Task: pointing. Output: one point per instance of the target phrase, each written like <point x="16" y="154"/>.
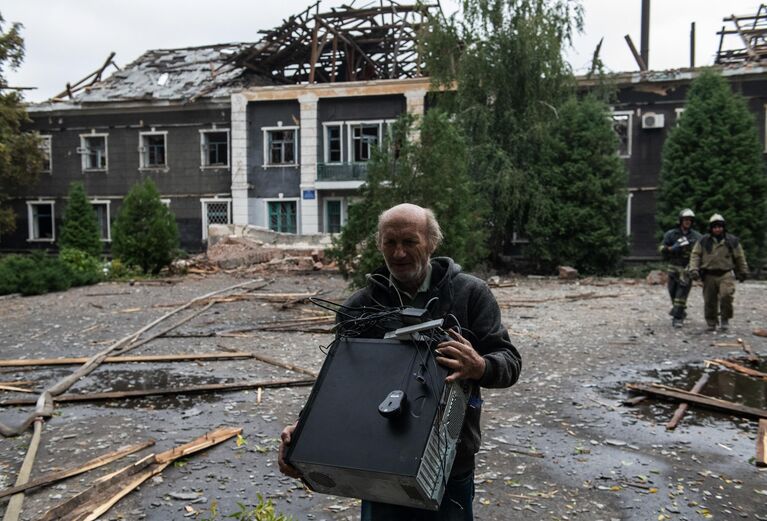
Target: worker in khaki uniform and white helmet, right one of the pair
<point x="714" y="259"/>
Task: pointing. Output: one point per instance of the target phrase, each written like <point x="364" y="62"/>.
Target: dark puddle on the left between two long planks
<point x="150" y="379"/>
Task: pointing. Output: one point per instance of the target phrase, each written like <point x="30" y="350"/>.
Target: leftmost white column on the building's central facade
<point x="239" y="160"/>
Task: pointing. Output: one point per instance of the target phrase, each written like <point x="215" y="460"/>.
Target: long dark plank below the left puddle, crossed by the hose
<point x="139" y="393"/>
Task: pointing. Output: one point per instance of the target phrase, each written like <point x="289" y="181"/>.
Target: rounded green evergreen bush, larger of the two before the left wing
<point x="145" y="232"/>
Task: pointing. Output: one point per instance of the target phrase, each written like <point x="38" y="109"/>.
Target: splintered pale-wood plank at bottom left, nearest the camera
<point x="96" y="500"/>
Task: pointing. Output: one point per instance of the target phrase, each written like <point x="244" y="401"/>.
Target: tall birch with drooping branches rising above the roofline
<point x="506" y="58"/>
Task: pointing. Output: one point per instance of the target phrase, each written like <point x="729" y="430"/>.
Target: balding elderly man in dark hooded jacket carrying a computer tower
<point x="479" y="349"/>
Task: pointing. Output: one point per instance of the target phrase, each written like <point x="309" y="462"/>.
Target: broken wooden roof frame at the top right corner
<point x="750" y="31"/>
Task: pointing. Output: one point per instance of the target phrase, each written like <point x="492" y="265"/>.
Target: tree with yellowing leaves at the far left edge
<point x="21" y="159"/>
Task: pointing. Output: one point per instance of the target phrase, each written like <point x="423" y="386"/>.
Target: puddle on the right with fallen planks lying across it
<point x="723" y="383"/>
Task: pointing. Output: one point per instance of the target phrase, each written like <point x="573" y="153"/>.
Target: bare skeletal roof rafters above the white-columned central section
<point x="346" y="44"/>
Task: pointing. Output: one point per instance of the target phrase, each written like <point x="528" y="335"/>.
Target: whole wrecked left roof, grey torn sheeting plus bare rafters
<point x="344" y="44"/>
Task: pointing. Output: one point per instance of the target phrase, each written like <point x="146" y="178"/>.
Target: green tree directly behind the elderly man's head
<point x="431" y="171"/>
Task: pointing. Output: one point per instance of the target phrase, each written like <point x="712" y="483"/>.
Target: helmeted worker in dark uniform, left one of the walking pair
<point x="675" y="248"/>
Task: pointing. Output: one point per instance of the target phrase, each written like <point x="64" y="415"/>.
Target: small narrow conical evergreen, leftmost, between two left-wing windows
<point x="80" y="229"/>
